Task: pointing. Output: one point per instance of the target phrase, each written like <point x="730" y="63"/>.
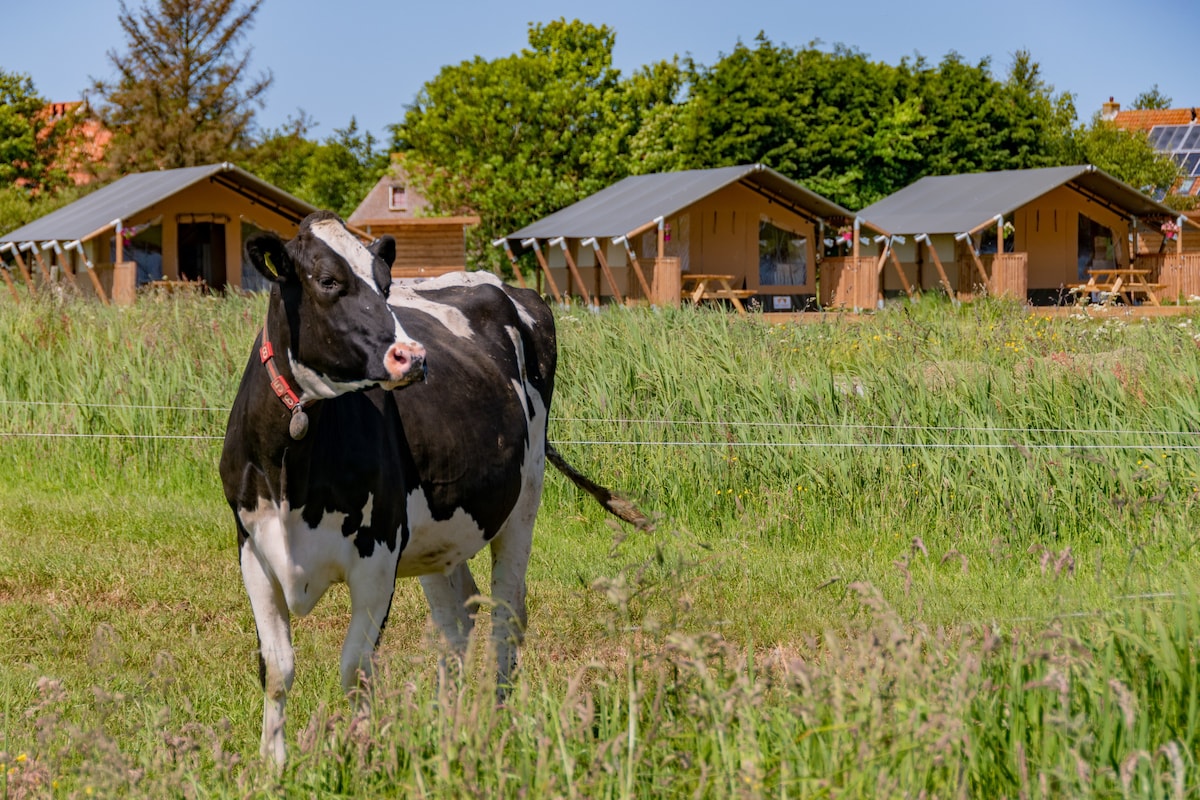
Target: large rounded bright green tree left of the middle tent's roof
<point x="519" y="137"/>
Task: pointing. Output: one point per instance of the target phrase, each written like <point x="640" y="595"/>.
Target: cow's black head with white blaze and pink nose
<point x="332" y="300"/>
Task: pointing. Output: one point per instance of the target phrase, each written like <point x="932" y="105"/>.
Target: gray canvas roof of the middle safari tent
<point x="640" y="200"/>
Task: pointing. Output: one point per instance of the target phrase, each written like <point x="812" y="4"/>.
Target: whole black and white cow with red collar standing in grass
<point x="382" y="432"/>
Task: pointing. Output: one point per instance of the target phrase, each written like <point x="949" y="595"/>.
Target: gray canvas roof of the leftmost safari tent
<point x="135" y="194"/>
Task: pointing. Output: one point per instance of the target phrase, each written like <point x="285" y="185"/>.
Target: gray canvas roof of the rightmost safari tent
<point x="955" y="204"/>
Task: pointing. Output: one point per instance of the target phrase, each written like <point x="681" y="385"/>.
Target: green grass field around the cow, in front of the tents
<point x="938" y="552"/>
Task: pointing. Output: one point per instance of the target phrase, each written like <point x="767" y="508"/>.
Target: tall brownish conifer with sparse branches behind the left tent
<point x="183" y="95"/>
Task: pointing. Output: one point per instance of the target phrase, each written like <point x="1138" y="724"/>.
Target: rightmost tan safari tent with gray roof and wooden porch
<point x="1034" y="234"/>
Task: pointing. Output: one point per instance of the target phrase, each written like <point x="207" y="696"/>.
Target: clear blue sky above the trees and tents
<point x="368" y="59"/>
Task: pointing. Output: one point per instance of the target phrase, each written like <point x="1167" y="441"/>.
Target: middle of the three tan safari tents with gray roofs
<point x="729" y="234"/>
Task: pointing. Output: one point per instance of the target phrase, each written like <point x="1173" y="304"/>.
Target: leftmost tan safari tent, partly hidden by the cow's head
<point x="176" y="228"/>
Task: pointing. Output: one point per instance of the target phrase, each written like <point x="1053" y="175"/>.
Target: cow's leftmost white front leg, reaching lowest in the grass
<point x="277" y="659"/>
